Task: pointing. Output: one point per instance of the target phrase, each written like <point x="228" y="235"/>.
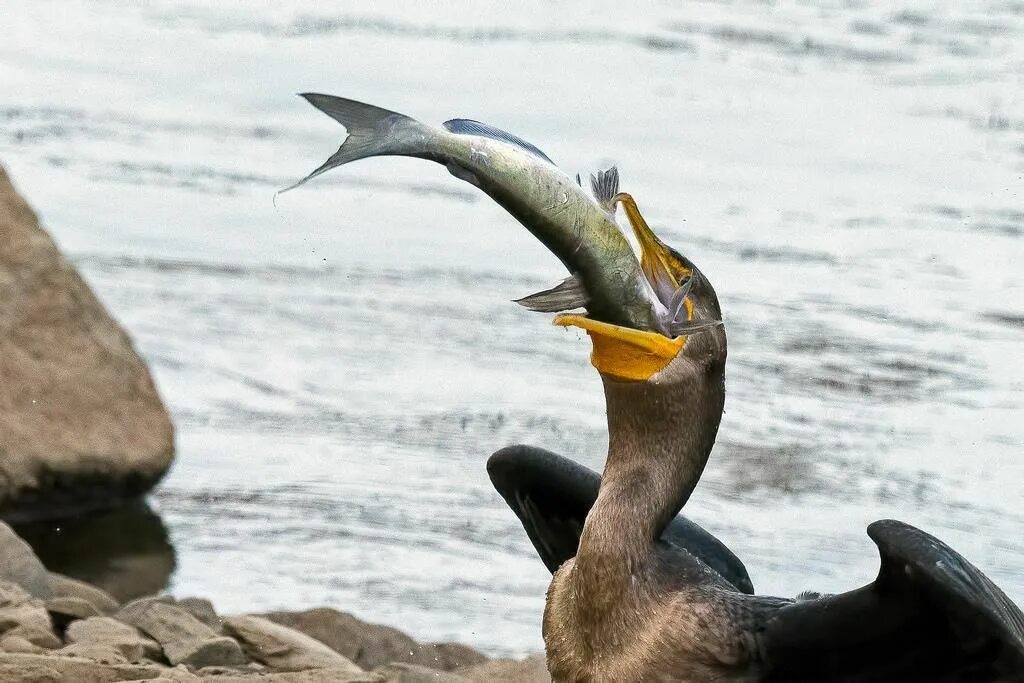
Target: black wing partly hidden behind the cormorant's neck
<point x="552" y="495"/>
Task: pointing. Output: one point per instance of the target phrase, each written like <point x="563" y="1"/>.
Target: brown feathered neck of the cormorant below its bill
<point x="660" y="438"/>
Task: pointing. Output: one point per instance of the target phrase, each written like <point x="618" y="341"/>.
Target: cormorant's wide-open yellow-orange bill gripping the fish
<point x="634" y="355"/>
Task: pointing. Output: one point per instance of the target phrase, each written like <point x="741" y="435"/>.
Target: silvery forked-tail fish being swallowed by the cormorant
<point x="607" y="278"/>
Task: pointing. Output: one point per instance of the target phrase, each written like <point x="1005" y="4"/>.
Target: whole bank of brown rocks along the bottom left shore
<point x="55" y="628"/>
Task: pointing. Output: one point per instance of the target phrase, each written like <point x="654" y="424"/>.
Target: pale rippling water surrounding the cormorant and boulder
<point x="339" y="367"/>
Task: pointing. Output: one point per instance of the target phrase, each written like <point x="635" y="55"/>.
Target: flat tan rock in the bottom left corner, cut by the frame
<point x="57" y="669"/>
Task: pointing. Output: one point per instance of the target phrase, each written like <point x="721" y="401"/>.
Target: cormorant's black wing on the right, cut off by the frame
<point x="930" y="616"/>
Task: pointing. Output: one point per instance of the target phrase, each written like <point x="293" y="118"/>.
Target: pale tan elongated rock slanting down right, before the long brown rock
<point x="283" y="649"/>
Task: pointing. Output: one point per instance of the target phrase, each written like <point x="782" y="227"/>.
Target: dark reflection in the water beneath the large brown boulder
<point x="125" y="551"/>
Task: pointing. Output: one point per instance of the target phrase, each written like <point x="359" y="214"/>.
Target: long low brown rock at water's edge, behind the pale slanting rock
<point x="372" y="646"/>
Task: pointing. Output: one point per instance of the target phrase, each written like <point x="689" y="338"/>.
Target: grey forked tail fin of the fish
<point x="372" y="133"/>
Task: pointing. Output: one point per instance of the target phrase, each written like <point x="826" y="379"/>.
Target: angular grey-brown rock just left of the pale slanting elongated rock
<point x="184" y="638"/>
